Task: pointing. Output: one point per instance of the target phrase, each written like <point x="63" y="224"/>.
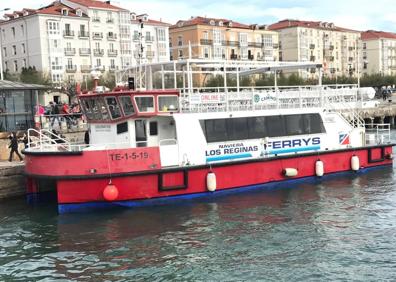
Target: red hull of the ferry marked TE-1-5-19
<point x="149" y="183"/>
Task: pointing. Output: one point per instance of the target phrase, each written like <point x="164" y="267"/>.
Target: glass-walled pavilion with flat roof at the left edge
<point x="18" y="103"/>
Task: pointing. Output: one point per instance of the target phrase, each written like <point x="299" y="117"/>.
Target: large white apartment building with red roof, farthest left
<point x="70" y="38"/>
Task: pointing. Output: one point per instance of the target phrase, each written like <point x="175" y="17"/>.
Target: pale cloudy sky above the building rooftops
<point x="354" y="14"/>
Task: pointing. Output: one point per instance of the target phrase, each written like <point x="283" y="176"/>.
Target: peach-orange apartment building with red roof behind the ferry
<point x="210" y="38"/>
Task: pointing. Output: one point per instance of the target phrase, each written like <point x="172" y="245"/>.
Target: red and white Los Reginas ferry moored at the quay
<point x="150" y="145"/>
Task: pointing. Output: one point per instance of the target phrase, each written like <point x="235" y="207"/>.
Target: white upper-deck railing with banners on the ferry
<point x="223" y="99"/>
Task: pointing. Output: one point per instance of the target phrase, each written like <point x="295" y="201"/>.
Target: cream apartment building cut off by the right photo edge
<point x="379" y="52"/>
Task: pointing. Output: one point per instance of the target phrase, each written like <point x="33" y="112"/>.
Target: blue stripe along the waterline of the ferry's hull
<point x="81" y="207"/>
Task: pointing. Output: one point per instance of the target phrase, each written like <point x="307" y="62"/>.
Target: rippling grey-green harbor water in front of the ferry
<point x="340" y="228"/>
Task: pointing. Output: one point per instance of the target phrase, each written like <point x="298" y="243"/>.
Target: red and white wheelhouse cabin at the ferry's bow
<point x="124" y="119"/>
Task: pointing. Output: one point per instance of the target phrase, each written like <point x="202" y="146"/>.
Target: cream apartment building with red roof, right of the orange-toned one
<point x="335" y="47"/>
